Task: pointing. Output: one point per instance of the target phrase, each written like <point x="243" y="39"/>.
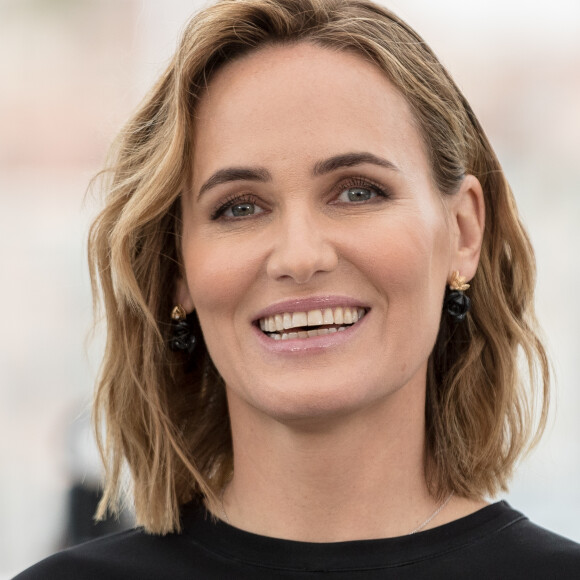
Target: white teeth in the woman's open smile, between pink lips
<point x="292" y="325"/>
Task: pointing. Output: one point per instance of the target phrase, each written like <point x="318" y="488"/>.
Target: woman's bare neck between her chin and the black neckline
<point x="358" y="476"/>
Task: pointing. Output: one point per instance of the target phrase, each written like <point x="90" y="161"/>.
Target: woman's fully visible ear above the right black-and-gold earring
<point x="468" y="217"/>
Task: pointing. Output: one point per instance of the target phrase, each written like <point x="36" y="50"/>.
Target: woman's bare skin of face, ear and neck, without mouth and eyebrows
<point x="328" y="442"/>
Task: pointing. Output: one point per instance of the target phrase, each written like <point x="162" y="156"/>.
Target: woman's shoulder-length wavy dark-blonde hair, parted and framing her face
<point x="163" y="419"/>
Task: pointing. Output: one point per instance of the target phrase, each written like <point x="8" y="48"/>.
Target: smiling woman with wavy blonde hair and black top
<point x="316" y="288"/>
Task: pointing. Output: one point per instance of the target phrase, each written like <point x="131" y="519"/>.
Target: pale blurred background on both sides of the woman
<point x="71" y="71"/>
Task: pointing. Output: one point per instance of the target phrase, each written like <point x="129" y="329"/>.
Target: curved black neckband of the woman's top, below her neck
<point x="229" y="542"/>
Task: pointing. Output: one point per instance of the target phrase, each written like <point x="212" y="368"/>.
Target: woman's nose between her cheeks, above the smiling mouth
<point x="302" y="248"/>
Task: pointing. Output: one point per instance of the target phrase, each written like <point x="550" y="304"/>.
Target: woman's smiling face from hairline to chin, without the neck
<point x="312" y="204"/>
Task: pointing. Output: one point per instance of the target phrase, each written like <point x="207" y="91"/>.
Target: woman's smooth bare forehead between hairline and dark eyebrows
<point x="302" y="101"/>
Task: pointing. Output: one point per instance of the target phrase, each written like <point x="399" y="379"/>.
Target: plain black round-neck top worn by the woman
<point x="495" y="542"/>
